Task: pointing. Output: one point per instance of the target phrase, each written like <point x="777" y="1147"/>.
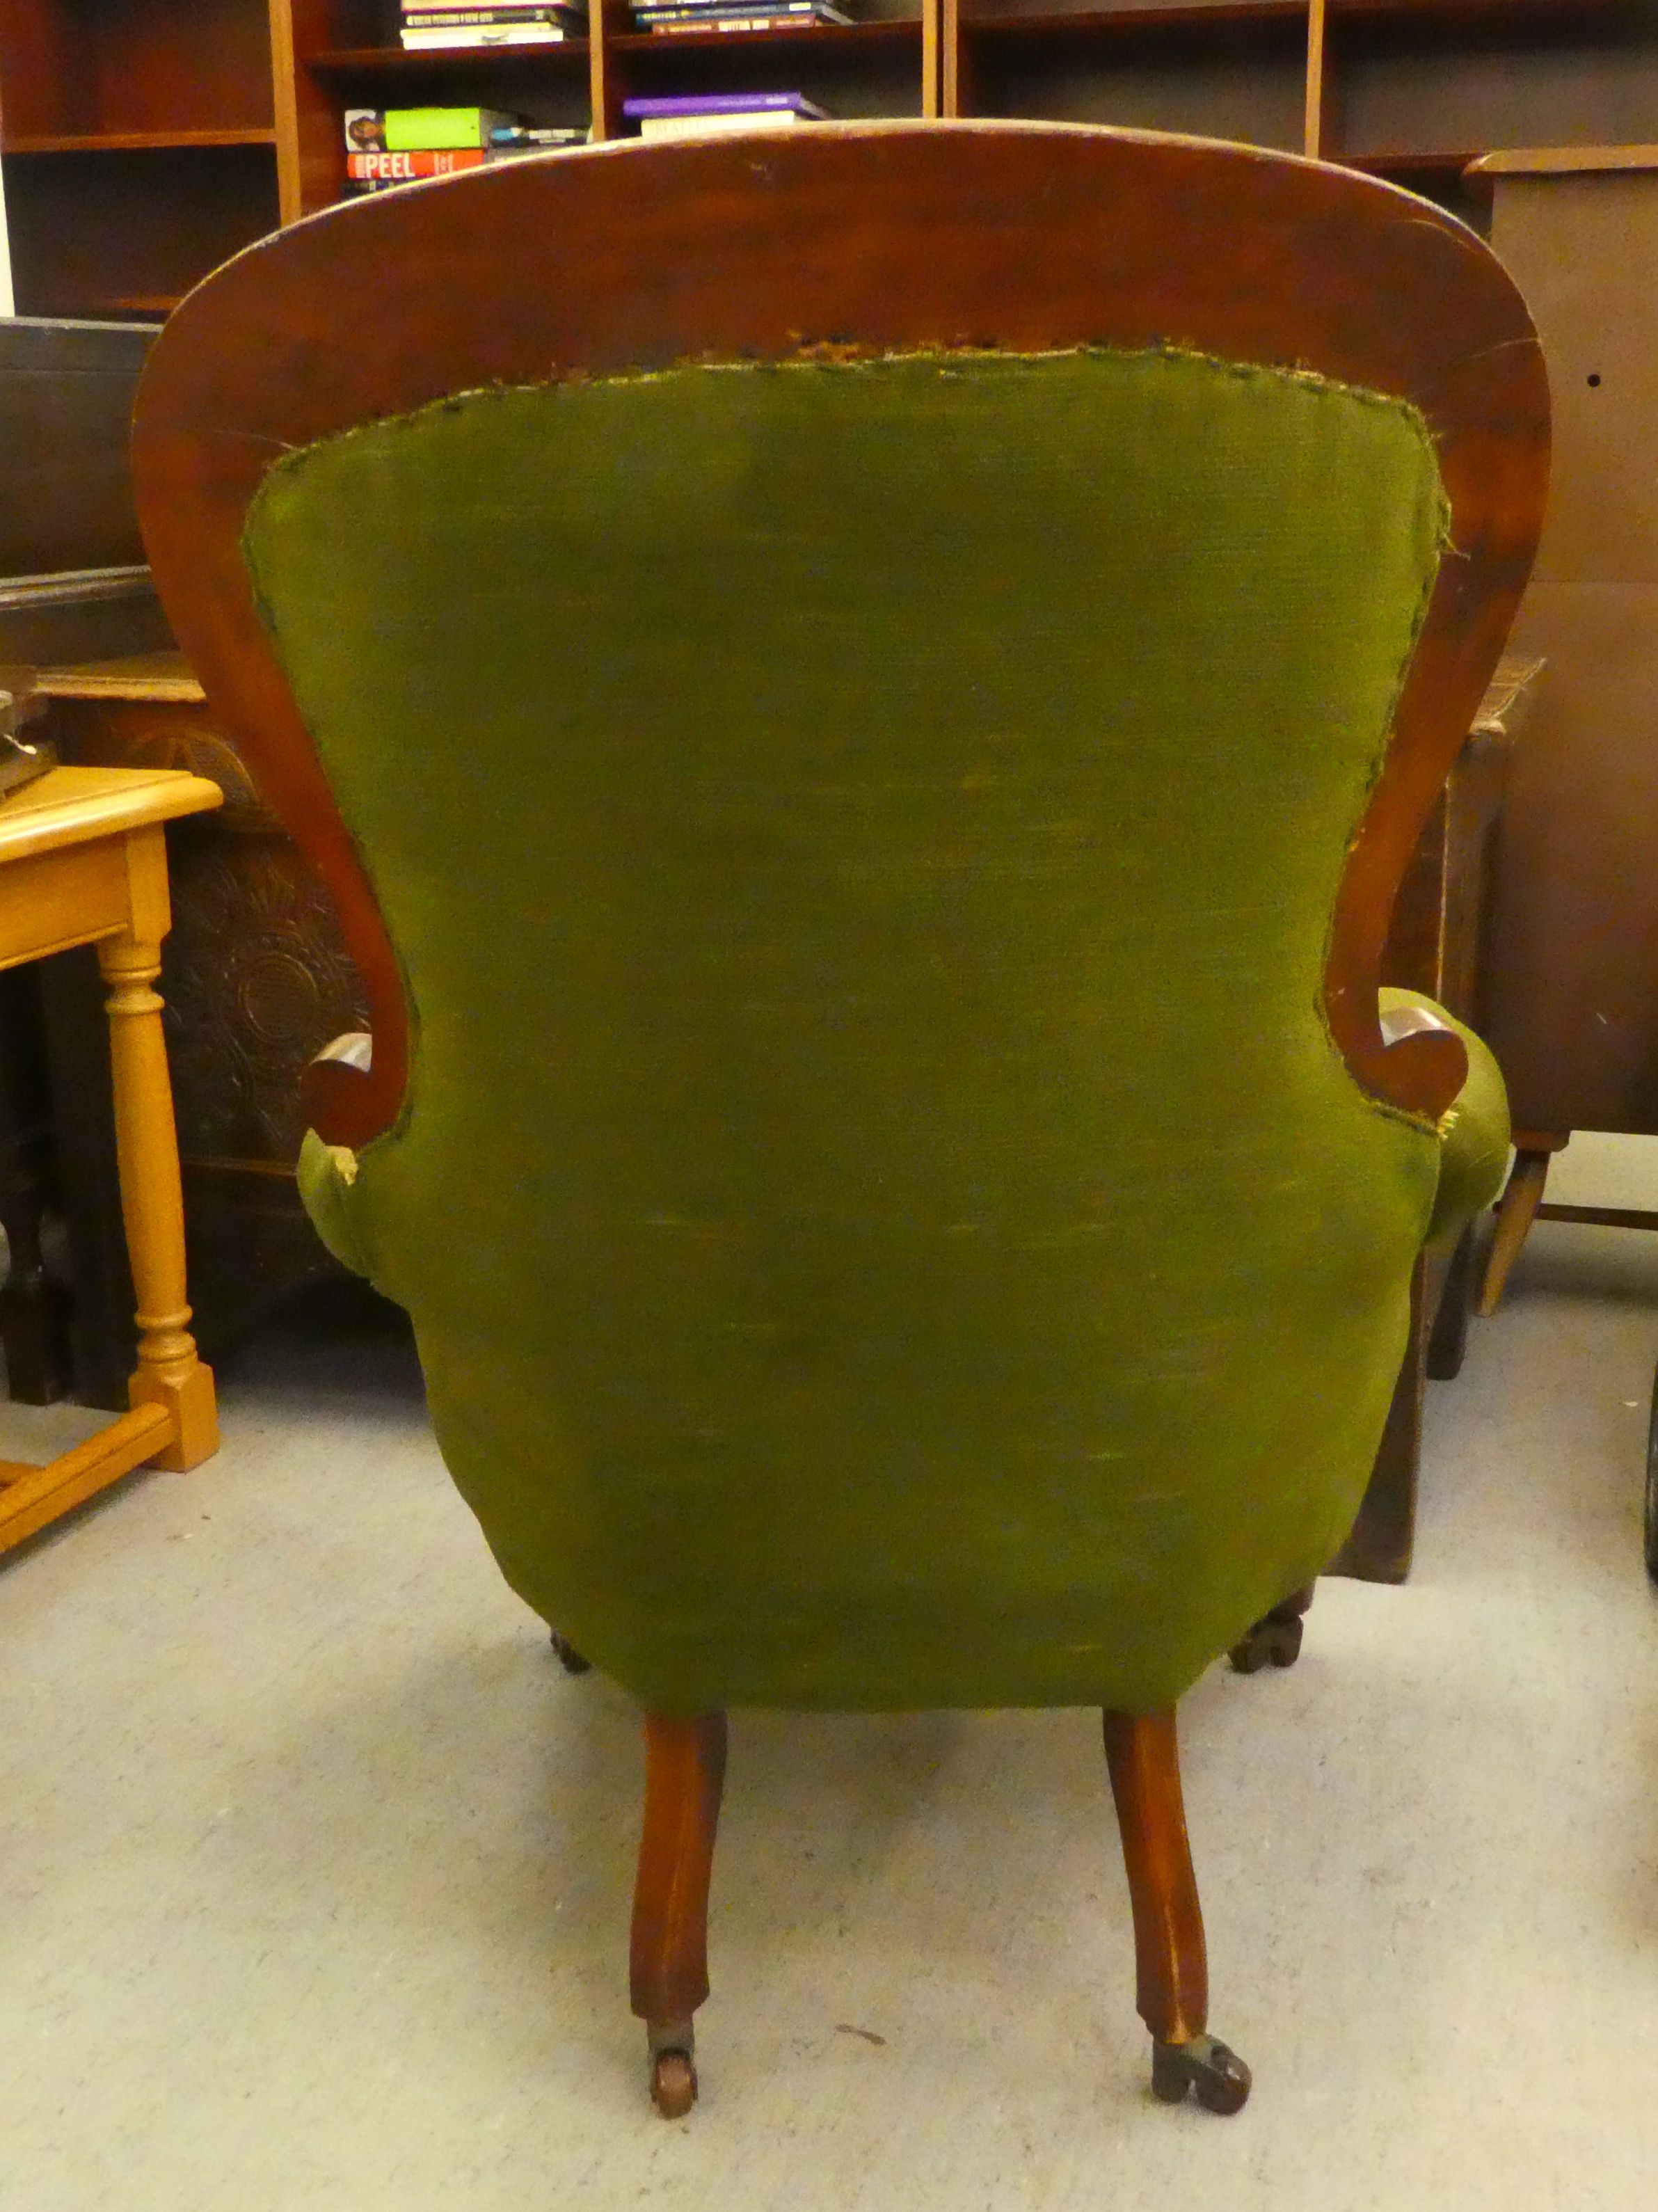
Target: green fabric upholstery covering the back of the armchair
<point x="883" y="1215"/>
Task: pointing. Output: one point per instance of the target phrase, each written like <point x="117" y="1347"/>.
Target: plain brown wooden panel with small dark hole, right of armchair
<point x="1573" y="983"/>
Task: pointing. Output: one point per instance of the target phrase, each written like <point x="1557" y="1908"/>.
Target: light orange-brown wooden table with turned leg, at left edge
<point x="83" y="862"/>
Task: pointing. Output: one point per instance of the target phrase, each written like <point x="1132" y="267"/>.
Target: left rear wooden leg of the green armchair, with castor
<point x="669" y="1954"/>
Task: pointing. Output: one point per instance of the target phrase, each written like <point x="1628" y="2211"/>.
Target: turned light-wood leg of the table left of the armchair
<point x="169" y="1373"/>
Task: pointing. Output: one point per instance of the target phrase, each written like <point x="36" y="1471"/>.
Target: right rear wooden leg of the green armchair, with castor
<point x="1173" y="1970"/>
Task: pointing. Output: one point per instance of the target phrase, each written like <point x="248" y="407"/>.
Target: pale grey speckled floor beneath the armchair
<point x="317" y="1866"/>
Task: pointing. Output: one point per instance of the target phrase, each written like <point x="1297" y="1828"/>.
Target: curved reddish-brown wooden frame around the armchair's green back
<point x="890" y="236"/>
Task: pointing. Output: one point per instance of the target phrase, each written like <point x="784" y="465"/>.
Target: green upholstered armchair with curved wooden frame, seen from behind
<point x="863" y="698"/>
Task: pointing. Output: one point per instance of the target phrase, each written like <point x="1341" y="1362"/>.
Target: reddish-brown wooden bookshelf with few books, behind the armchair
<point x="145" y="140"/>
